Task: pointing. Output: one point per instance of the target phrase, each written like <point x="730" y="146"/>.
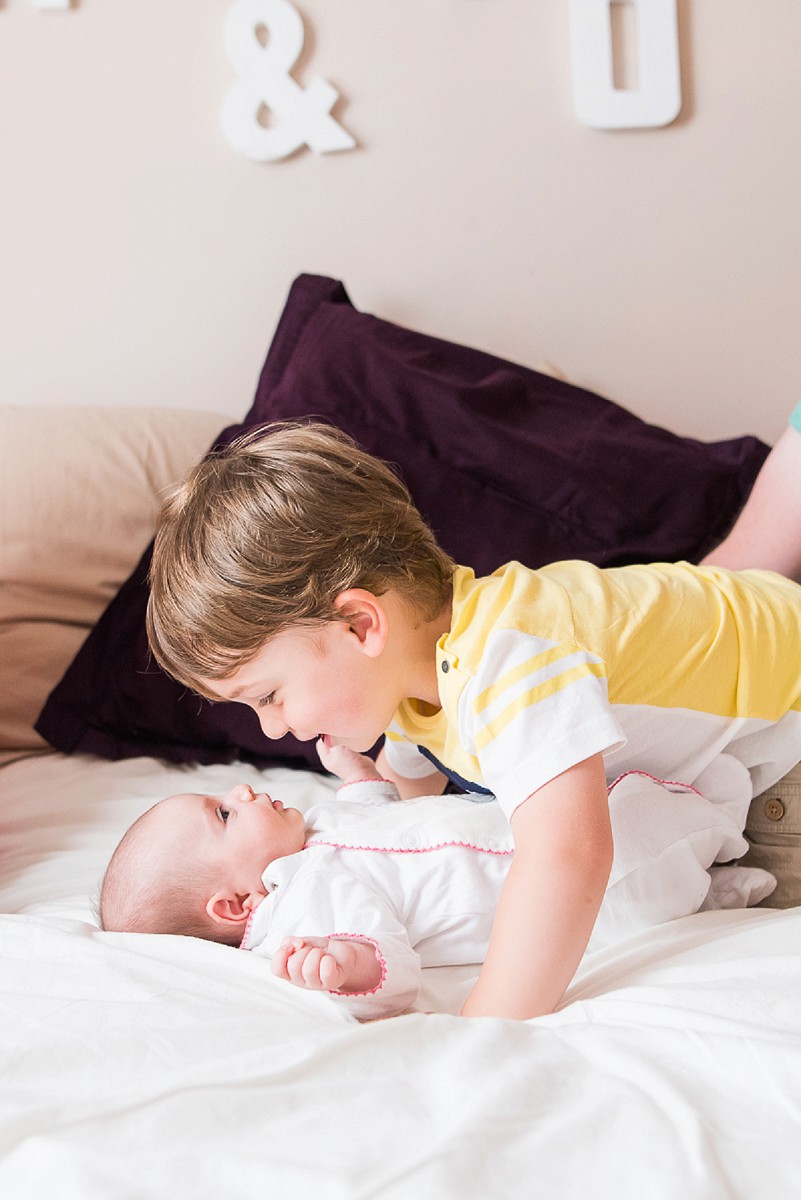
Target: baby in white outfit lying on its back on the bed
<point x="359" y="895"/>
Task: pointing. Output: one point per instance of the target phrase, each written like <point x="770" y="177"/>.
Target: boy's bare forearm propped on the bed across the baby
<point x="552" y="896"/>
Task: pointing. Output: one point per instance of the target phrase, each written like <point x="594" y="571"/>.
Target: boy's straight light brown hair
<point x="267" y="533"/>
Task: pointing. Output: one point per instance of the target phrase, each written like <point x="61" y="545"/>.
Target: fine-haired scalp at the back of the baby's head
<point x="143" y="893"/>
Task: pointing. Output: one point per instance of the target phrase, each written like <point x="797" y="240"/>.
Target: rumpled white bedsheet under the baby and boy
<point x="138" y="1067"/>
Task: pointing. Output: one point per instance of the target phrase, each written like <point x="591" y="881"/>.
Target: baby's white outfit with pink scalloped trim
<point x="420" y="880"/>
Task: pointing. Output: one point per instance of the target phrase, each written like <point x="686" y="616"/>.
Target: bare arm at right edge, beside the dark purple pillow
<point x="768" y="532"/>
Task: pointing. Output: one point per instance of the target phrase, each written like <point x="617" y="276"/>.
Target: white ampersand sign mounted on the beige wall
<point x="300" y="116"/>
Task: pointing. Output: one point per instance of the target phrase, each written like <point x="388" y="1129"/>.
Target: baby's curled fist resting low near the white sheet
<point x="327" y="964"/>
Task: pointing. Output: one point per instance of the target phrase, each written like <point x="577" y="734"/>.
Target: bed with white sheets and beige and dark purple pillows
<point x="137" y="1066"/>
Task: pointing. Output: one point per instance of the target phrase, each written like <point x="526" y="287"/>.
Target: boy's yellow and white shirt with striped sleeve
<point x="663" y="668"/>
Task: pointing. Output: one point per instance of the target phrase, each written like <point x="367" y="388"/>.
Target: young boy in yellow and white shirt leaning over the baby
<point x="294" y="574"/>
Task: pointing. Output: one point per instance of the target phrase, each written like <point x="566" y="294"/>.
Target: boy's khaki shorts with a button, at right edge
<point x="774" y="830"/>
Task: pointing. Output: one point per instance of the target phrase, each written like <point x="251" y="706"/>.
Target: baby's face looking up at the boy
<point x="240" y="833"/>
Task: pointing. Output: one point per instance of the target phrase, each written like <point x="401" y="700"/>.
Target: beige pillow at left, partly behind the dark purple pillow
<point x="81" y="489"/>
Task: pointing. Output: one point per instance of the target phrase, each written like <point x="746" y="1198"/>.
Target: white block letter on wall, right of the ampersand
<point x="657" y="100"/>
